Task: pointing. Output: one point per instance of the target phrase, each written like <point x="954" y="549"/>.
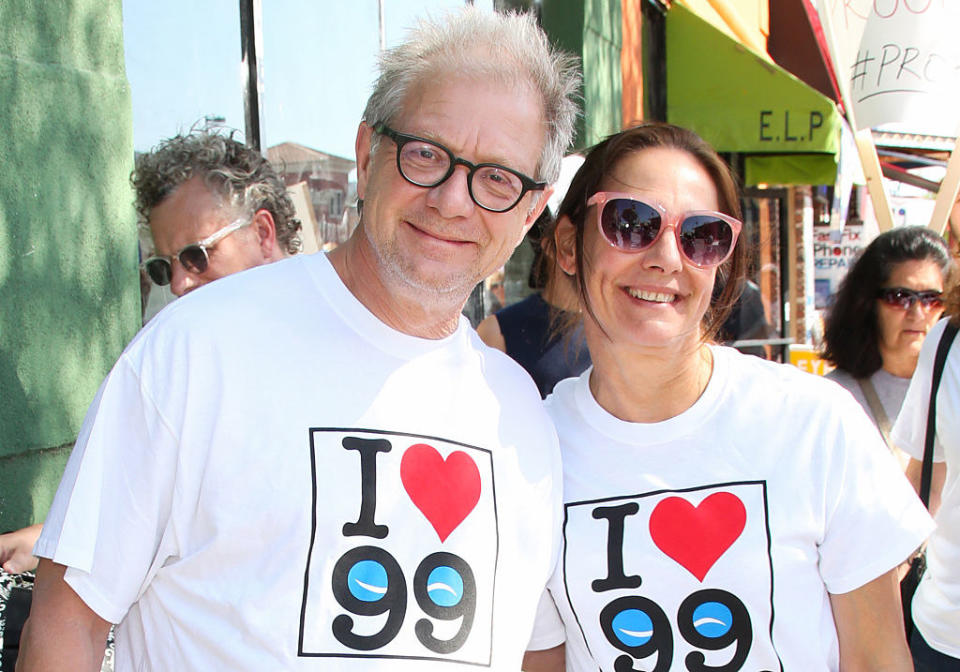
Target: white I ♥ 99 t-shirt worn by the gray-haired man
<point x="272" y="479"/>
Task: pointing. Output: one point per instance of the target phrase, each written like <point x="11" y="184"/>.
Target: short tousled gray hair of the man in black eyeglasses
<point x="508" y="48"/>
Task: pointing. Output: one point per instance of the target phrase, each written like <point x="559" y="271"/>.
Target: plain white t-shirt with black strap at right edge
<point x="936" y="604"/>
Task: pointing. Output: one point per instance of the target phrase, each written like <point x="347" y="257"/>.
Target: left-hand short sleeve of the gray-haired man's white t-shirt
<point x="113" y="503"/>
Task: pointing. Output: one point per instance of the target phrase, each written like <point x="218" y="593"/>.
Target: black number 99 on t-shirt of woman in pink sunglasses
<point x="710" y="620"/>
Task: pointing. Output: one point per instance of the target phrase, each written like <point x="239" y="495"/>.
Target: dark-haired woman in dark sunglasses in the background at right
<point x="884" y="308"/>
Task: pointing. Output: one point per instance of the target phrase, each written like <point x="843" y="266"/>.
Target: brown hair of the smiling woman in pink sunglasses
<point x="605" y="156"/>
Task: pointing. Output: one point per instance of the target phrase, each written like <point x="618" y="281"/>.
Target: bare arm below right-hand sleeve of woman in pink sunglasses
<point x="869" y="624"/>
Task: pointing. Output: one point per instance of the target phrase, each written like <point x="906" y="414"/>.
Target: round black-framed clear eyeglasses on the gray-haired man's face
<point x="427" y="164"/>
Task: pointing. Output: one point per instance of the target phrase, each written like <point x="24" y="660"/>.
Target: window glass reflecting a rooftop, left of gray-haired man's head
<point x="319" y="63"/>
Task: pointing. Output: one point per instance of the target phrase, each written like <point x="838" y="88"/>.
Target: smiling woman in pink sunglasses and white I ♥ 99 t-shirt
<point x="721" y="512"/>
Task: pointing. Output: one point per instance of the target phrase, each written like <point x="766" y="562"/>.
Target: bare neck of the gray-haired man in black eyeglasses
<point x="407" y="309"/>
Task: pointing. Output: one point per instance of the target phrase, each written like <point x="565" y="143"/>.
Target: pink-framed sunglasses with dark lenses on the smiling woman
<point x="704" y="237"/>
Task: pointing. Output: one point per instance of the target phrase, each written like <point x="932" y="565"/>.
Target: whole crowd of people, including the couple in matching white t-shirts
<point x="319" y="464"/>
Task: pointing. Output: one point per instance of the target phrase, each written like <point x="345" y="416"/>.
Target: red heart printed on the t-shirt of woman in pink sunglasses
<point x="696" y="537"/>
